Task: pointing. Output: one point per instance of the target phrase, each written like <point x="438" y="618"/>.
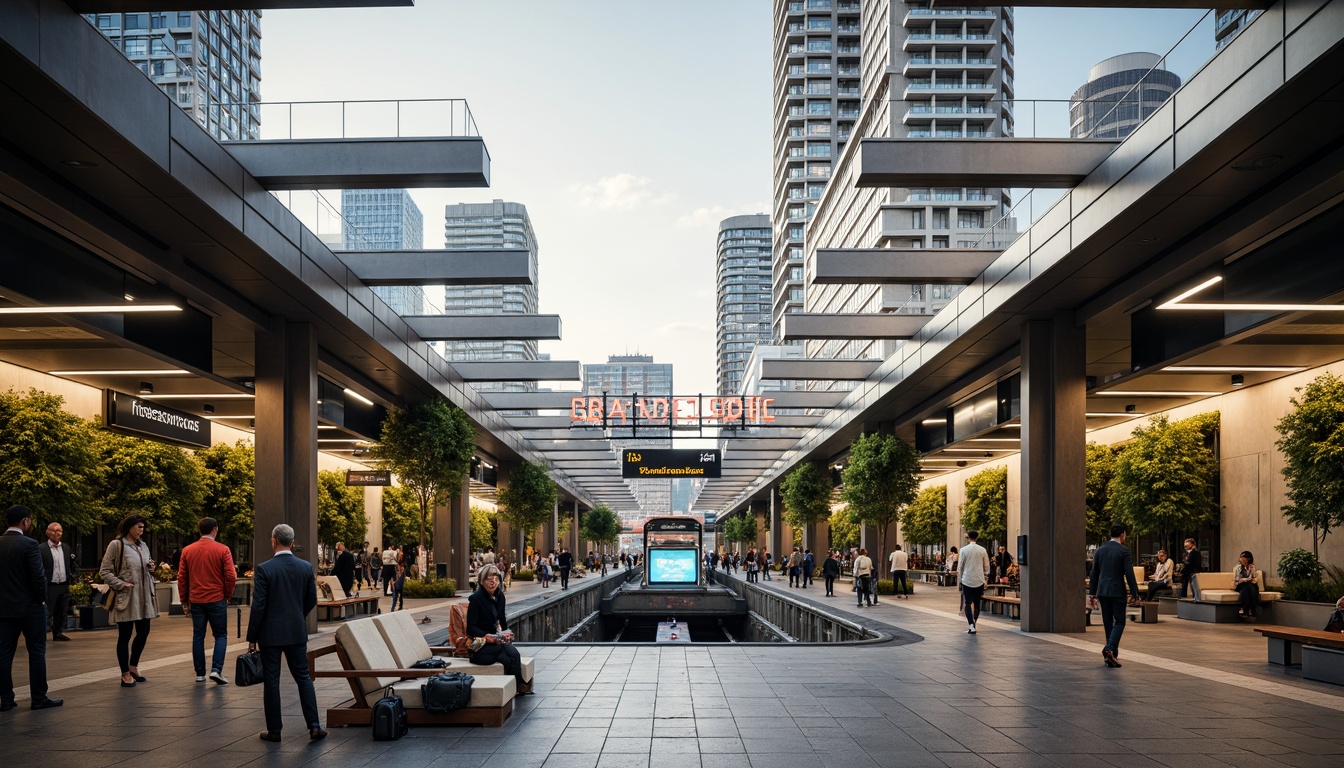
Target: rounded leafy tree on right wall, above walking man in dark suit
<point x="1166" y="478"/>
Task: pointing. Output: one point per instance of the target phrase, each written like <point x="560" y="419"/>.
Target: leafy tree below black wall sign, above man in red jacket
<point x="159" y="482"/>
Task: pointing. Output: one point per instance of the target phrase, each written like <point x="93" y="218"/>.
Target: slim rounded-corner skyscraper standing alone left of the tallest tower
<point x="744" y="295"/>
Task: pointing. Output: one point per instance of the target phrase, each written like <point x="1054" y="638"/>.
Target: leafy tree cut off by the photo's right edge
<point x="1314" y="458"/>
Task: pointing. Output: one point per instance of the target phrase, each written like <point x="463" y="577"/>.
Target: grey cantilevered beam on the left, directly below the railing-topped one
<point x="443" y="267"/>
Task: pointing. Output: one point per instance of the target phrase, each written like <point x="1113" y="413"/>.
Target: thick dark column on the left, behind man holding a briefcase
<point x="287" y="439"/>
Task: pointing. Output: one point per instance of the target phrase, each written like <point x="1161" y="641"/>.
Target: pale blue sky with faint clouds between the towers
<point x="630" y="130"/>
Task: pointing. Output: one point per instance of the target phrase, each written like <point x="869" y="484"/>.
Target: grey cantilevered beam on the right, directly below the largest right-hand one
<point x="901" y="266"/>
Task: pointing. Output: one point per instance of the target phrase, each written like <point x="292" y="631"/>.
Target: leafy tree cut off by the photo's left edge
<point x="50" y="462"/>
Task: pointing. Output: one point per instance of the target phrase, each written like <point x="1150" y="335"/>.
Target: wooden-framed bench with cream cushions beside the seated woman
<point x="369" y="665"/>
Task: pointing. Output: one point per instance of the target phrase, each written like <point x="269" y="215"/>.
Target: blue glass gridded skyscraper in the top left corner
<point x="206" y="61"/>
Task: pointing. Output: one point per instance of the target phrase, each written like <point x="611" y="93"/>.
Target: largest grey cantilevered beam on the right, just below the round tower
<point x="1061" y="163"/>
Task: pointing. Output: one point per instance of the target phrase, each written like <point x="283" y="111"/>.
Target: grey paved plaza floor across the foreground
<point x="1189" y="696"/>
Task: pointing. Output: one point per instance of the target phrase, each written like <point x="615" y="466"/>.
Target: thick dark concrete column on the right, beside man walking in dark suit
<point x="1053" y="474"/>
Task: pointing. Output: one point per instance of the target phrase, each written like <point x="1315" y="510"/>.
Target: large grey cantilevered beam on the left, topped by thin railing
<point x="365" y="163"/>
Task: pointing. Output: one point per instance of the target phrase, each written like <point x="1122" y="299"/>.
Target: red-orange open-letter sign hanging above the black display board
<point x="685" y="412"/>
